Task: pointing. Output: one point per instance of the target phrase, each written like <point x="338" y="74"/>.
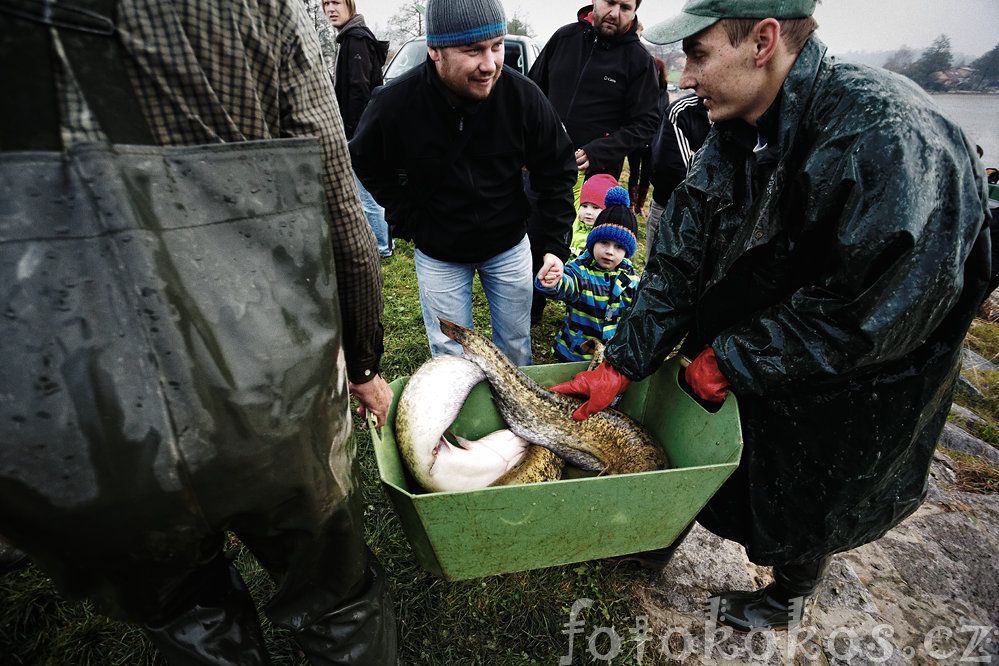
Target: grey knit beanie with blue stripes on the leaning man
<point x="463" y="22"/>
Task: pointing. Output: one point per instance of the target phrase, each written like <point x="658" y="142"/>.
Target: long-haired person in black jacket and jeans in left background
<point x="358" y="71"/>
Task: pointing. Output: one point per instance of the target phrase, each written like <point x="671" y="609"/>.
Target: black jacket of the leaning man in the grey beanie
<point x="451" y="178"/>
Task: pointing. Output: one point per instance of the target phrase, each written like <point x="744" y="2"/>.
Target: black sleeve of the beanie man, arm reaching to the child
<point x="553" y="173"/>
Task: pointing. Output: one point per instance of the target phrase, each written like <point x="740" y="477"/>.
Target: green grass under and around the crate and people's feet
<point x="499" y="620"/>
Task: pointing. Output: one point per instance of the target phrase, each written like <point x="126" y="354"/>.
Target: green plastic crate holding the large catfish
<point x="473" y="533"/>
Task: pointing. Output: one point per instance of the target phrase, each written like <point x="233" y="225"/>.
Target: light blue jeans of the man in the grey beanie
<point x="446" y="292"/>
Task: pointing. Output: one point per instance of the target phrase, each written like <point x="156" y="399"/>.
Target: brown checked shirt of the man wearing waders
<point x="208" y="72"/>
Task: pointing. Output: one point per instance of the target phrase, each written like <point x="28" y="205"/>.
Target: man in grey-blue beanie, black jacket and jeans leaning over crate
<point x="443" y="147"/>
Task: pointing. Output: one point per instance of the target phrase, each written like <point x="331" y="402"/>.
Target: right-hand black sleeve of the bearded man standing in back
<point x="637" y="127"/>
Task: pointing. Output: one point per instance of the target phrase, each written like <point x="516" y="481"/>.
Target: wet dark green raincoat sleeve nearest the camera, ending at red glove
<point x="895" y="268"/>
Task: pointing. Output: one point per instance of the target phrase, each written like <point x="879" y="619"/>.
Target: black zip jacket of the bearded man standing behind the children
<point x="604" y="89"/>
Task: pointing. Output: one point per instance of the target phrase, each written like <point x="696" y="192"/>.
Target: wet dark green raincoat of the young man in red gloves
<point x="836" y="287"/>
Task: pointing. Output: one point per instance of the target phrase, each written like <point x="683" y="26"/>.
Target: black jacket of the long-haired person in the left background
<point x="358" y="70"/>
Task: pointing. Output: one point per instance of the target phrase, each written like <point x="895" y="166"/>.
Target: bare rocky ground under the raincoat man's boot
<point x="925" y="593"/>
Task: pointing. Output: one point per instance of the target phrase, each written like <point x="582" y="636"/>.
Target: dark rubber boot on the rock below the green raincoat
<point x="777" y="606"/>
